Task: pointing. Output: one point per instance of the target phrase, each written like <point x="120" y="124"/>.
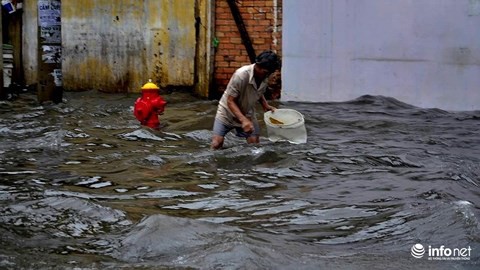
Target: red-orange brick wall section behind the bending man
<point x="263" y="22"/>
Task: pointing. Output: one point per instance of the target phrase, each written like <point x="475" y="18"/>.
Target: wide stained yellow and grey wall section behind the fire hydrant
<point x="116" y="46"/>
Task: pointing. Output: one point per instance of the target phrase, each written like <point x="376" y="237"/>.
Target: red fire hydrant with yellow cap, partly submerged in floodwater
<point x="149" y="106"/>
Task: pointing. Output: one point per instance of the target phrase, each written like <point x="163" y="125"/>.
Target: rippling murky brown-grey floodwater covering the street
<point x="84" y="186"/>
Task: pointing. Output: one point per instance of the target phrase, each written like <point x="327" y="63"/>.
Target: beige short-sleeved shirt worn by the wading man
<point x="243" y="87"/>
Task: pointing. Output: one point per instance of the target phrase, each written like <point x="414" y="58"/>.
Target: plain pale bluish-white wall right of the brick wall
<point x="422" y="52"/>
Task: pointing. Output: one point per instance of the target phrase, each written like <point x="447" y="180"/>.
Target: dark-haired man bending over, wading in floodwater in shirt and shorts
<point x="236" y="109"/>
